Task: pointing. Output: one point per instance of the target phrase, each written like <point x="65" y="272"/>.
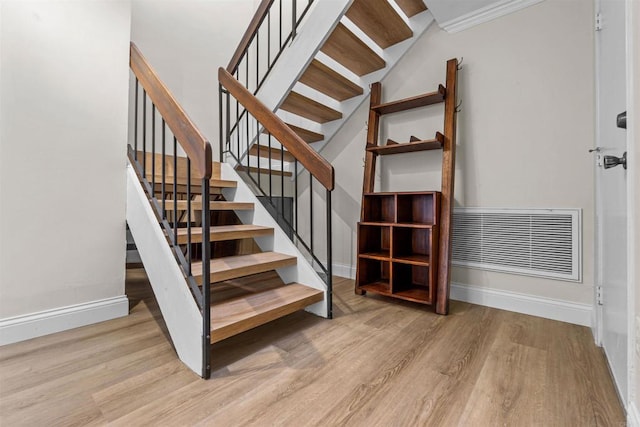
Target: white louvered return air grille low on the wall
<point x="534" y="242"/>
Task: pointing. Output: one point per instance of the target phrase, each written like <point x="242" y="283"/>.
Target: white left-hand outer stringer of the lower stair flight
<point x="179" y="308"/>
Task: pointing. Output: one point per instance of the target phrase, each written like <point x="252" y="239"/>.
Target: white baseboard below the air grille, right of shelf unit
<point x="576" y="313"/>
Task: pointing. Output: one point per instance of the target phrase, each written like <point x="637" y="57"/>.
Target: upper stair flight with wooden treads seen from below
<point x="320" y="78"/>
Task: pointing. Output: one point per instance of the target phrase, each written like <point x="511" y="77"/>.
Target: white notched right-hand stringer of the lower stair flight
<point x="302" y="272"/>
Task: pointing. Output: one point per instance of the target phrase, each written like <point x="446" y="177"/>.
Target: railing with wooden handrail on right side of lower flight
<point x="285" y="170"/>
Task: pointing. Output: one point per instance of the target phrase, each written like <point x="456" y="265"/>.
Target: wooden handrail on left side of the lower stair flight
<point x="195" y="145"/>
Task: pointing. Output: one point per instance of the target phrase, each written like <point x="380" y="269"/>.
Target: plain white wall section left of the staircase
<point x="63" y="127"/>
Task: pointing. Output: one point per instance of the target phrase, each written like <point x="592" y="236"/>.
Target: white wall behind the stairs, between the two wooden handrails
<point x="186" y="41"/>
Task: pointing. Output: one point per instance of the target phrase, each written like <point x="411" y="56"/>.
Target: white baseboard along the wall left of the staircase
<point x="21" y="328"/>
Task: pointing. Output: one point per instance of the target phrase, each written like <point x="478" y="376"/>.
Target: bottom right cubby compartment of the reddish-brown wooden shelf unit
<point x="412" y="282"/>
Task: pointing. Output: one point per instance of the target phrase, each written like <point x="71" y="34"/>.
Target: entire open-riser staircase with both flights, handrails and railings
<point x="231" y="246"/>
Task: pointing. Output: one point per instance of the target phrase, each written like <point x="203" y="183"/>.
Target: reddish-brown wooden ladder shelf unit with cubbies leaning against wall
<point x="404" y="238"/>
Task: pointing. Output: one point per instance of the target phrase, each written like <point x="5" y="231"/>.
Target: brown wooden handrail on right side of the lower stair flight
<point x="307" y="156"/>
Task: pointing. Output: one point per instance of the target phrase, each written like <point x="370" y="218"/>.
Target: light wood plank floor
<point x="378" y="363"/>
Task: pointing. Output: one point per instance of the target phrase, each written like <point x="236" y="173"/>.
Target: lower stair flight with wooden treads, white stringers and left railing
<point x="218" y="263"/>
